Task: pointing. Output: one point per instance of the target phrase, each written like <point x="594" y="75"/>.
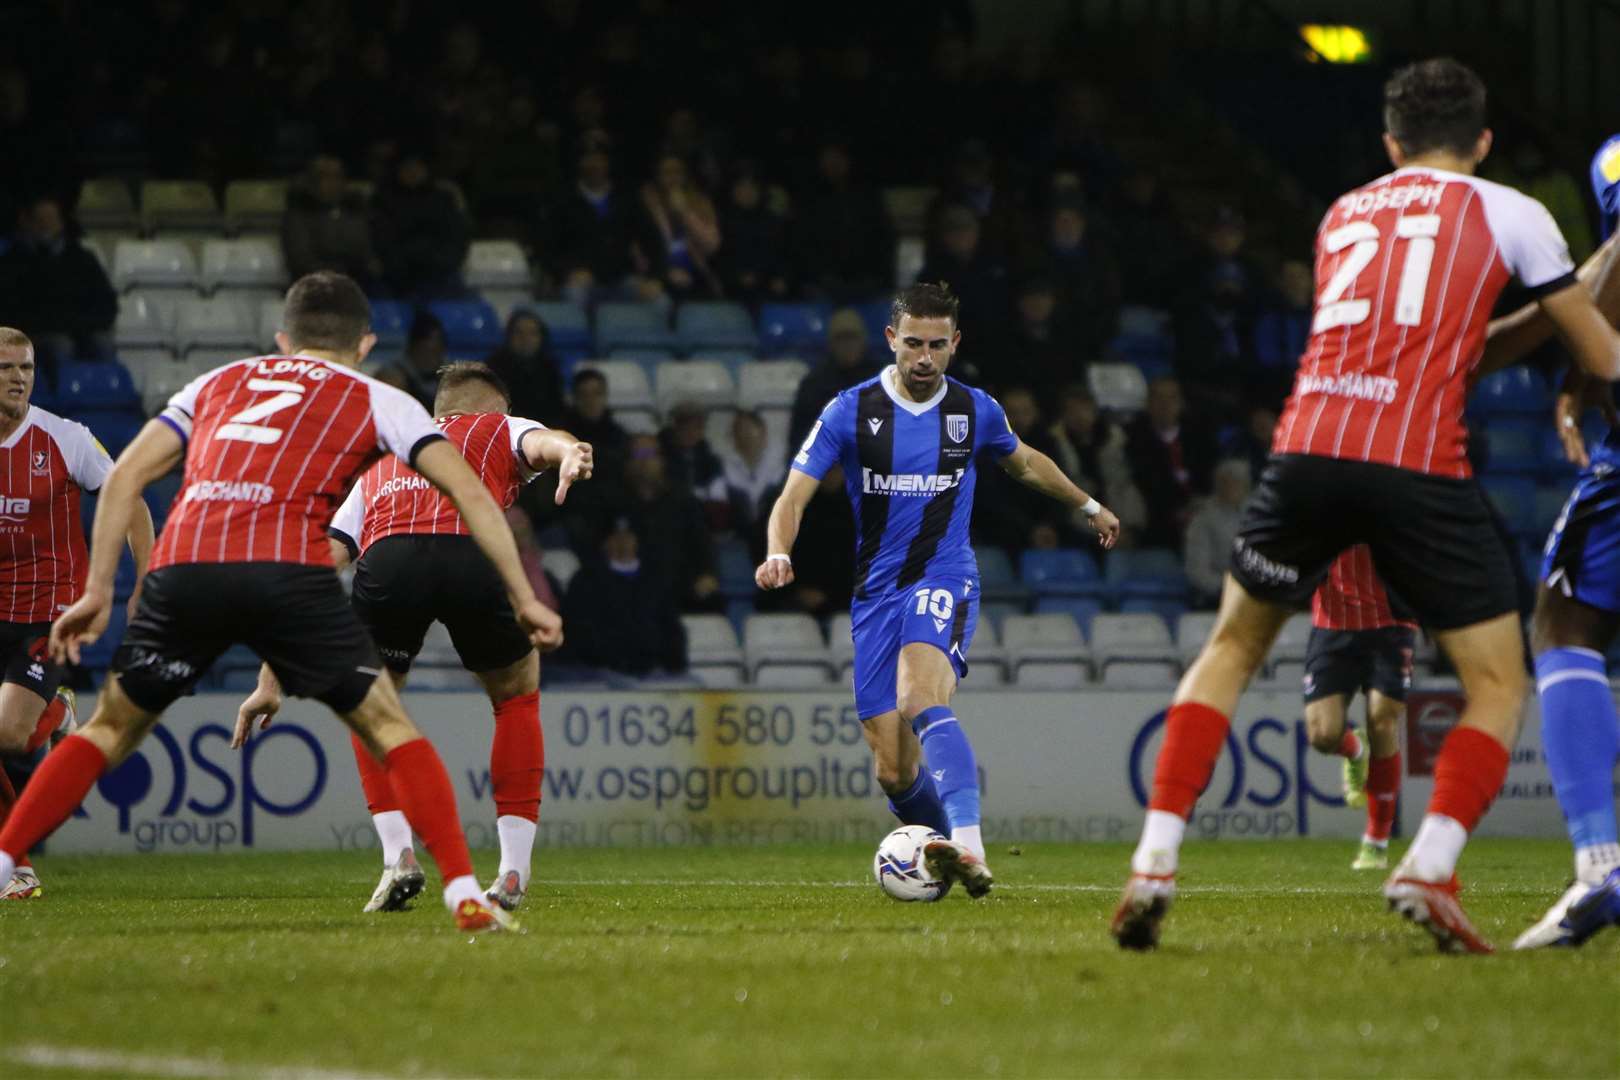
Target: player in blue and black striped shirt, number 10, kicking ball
<point x="910" y="441"/>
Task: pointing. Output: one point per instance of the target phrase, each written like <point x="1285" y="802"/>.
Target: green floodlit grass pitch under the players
<point x="1277" y="963"/>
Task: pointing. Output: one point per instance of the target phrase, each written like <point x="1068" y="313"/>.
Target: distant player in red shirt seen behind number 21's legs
<point x="1360" y="645"/>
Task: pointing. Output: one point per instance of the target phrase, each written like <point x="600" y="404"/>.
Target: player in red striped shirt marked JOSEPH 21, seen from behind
<point x="1370" y="451"/>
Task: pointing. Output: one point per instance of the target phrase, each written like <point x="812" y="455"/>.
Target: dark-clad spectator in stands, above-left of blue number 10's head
<point x="845" y="249"/>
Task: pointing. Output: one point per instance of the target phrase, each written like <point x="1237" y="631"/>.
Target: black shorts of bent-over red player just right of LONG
<point x="406" y="584"/>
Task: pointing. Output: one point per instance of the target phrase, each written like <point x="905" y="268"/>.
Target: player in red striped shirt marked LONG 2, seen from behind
<point x="270" y="446"/>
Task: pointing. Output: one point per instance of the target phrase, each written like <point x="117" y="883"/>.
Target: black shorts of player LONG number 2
<point x="296" y="618"/>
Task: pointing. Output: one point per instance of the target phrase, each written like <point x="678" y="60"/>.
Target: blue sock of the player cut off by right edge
<point x="1580" y="734"/>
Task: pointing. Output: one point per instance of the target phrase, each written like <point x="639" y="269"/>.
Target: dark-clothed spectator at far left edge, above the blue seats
<point x="56" y="291"/>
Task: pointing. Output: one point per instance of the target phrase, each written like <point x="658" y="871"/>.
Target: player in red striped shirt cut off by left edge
<point x="46" y="462"/>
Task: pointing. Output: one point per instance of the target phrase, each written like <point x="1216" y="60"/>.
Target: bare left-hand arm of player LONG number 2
<point x="155" y="453"/>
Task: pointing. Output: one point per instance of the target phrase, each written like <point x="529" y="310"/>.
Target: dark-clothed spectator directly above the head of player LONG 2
<point x="326" y="227"/>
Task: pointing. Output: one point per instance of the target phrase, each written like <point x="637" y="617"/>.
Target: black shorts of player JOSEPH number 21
<point x="1436" y="542"/>
